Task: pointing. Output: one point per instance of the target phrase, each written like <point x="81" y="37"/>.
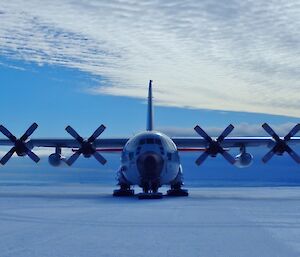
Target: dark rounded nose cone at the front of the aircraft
<point x="150" y="166"/>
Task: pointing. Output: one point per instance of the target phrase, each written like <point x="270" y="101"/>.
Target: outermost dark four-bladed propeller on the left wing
<point x="20" y="147"/>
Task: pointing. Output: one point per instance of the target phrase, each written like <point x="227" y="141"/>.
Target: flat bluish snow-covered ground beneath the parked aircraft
<point x="85" y="220"/>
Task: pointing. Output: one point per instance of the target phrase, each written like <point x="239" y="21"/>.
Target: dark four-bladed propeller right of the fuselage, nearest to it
<point x="214" y="145"/>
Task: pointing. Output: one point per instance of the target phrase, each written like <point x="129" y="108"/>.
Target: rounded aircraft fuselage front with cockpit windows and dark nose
<point x="150" y="159"/>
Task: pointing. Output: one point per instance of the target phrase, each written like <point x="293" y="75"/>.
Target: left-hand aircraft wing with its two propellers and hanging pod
<point x="88" y="147"/>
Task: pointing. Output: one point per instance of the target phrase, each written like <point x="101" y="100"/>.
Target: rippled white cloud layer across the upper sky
<point x="220" y="55"/>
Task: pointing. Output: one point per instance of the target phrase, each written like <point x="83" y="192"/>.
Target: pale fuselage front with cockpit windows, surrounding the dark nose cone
<point x="150" y="142"/>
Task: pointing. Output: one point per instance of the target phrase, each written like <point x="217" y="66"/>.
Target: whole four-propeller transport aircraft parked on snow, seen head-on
<point x="151" y="159"/>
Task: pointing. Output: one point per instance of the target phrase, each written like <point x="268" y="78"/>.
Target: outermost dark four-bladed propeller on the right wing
<point x="281" y="145"/>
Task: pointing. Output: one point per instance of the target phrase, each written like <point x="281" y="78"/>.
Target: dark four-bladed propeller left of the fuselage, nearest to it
<point x="87" y="148"/>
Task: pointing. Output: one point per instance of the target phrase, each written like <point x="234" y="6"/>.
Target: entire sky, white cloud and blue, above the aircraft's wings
<point x="84" y="63"/>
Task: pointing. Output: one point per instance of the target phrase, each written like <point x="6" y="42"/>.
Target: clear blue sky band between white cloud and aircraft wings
<point x="56" y="96"/>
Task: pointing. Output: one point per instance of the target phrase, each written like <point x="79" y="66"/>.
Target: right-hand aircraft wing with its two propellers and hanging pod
<point x="222" y="144"/>
